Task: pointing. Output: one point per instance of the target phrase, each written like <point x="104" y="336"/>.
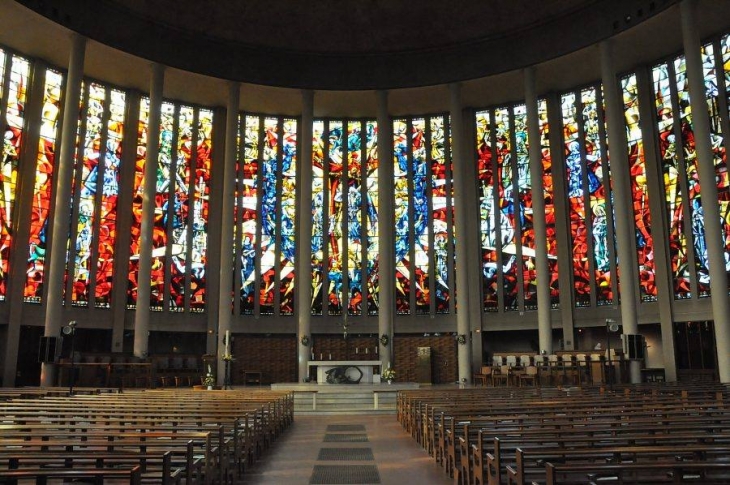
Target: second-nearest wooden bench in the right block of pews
<point x="531" y="461"/>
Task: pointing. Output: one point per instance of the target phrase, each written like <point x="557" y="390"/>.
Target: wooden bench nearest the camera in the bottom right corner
<point x="639" y="473"/>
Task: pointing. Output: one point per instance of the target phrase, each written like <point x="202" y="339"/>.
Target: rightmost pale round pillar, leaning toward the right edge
<point x="706" y="168"/>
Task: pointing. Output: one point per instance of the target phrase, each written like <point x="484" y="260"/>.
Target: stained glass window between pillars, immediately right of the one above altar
<point x="423" y="220"/>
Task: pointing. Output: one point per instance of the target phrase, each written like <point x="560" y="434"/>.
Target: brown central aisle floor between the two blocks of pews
<point x="398" y="460"/>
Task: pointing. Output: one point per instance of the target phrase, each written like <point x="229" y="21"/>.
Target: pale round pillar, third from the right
<point x="542" y="268"/>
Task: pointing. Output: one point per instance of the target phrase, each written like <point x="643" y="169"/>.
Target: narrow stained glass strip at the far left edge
<point x="16" y="92"/>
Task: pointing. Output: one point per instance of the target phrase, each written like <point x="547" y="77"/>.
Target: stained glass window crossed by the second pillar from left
<point x="180" y="222"/>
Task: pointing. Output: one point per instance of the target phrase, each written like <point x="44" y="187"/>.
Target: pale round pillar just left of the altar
<point x="304" y="235"/>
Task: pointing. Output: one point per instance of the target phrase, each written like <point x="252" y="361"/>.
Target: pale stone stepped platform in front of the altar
<point x="314" y="398"/>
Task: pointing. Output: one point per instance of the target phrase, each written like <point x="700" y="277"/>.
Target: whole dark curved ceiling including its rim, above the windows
<point x="348" y="44"/>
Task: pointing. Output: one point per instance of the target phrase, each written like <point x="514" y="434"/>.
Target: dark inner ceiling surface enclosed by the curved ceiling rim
<point x="354" y="26"/>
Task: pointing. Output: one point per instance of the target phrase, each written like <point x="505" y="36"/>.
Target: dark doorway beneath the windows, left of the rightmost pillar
<point x="696" y="351"/>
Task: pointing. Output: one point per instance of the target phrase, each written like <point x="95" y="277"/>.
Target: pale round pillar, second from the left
<point x="142" y="310"/>
